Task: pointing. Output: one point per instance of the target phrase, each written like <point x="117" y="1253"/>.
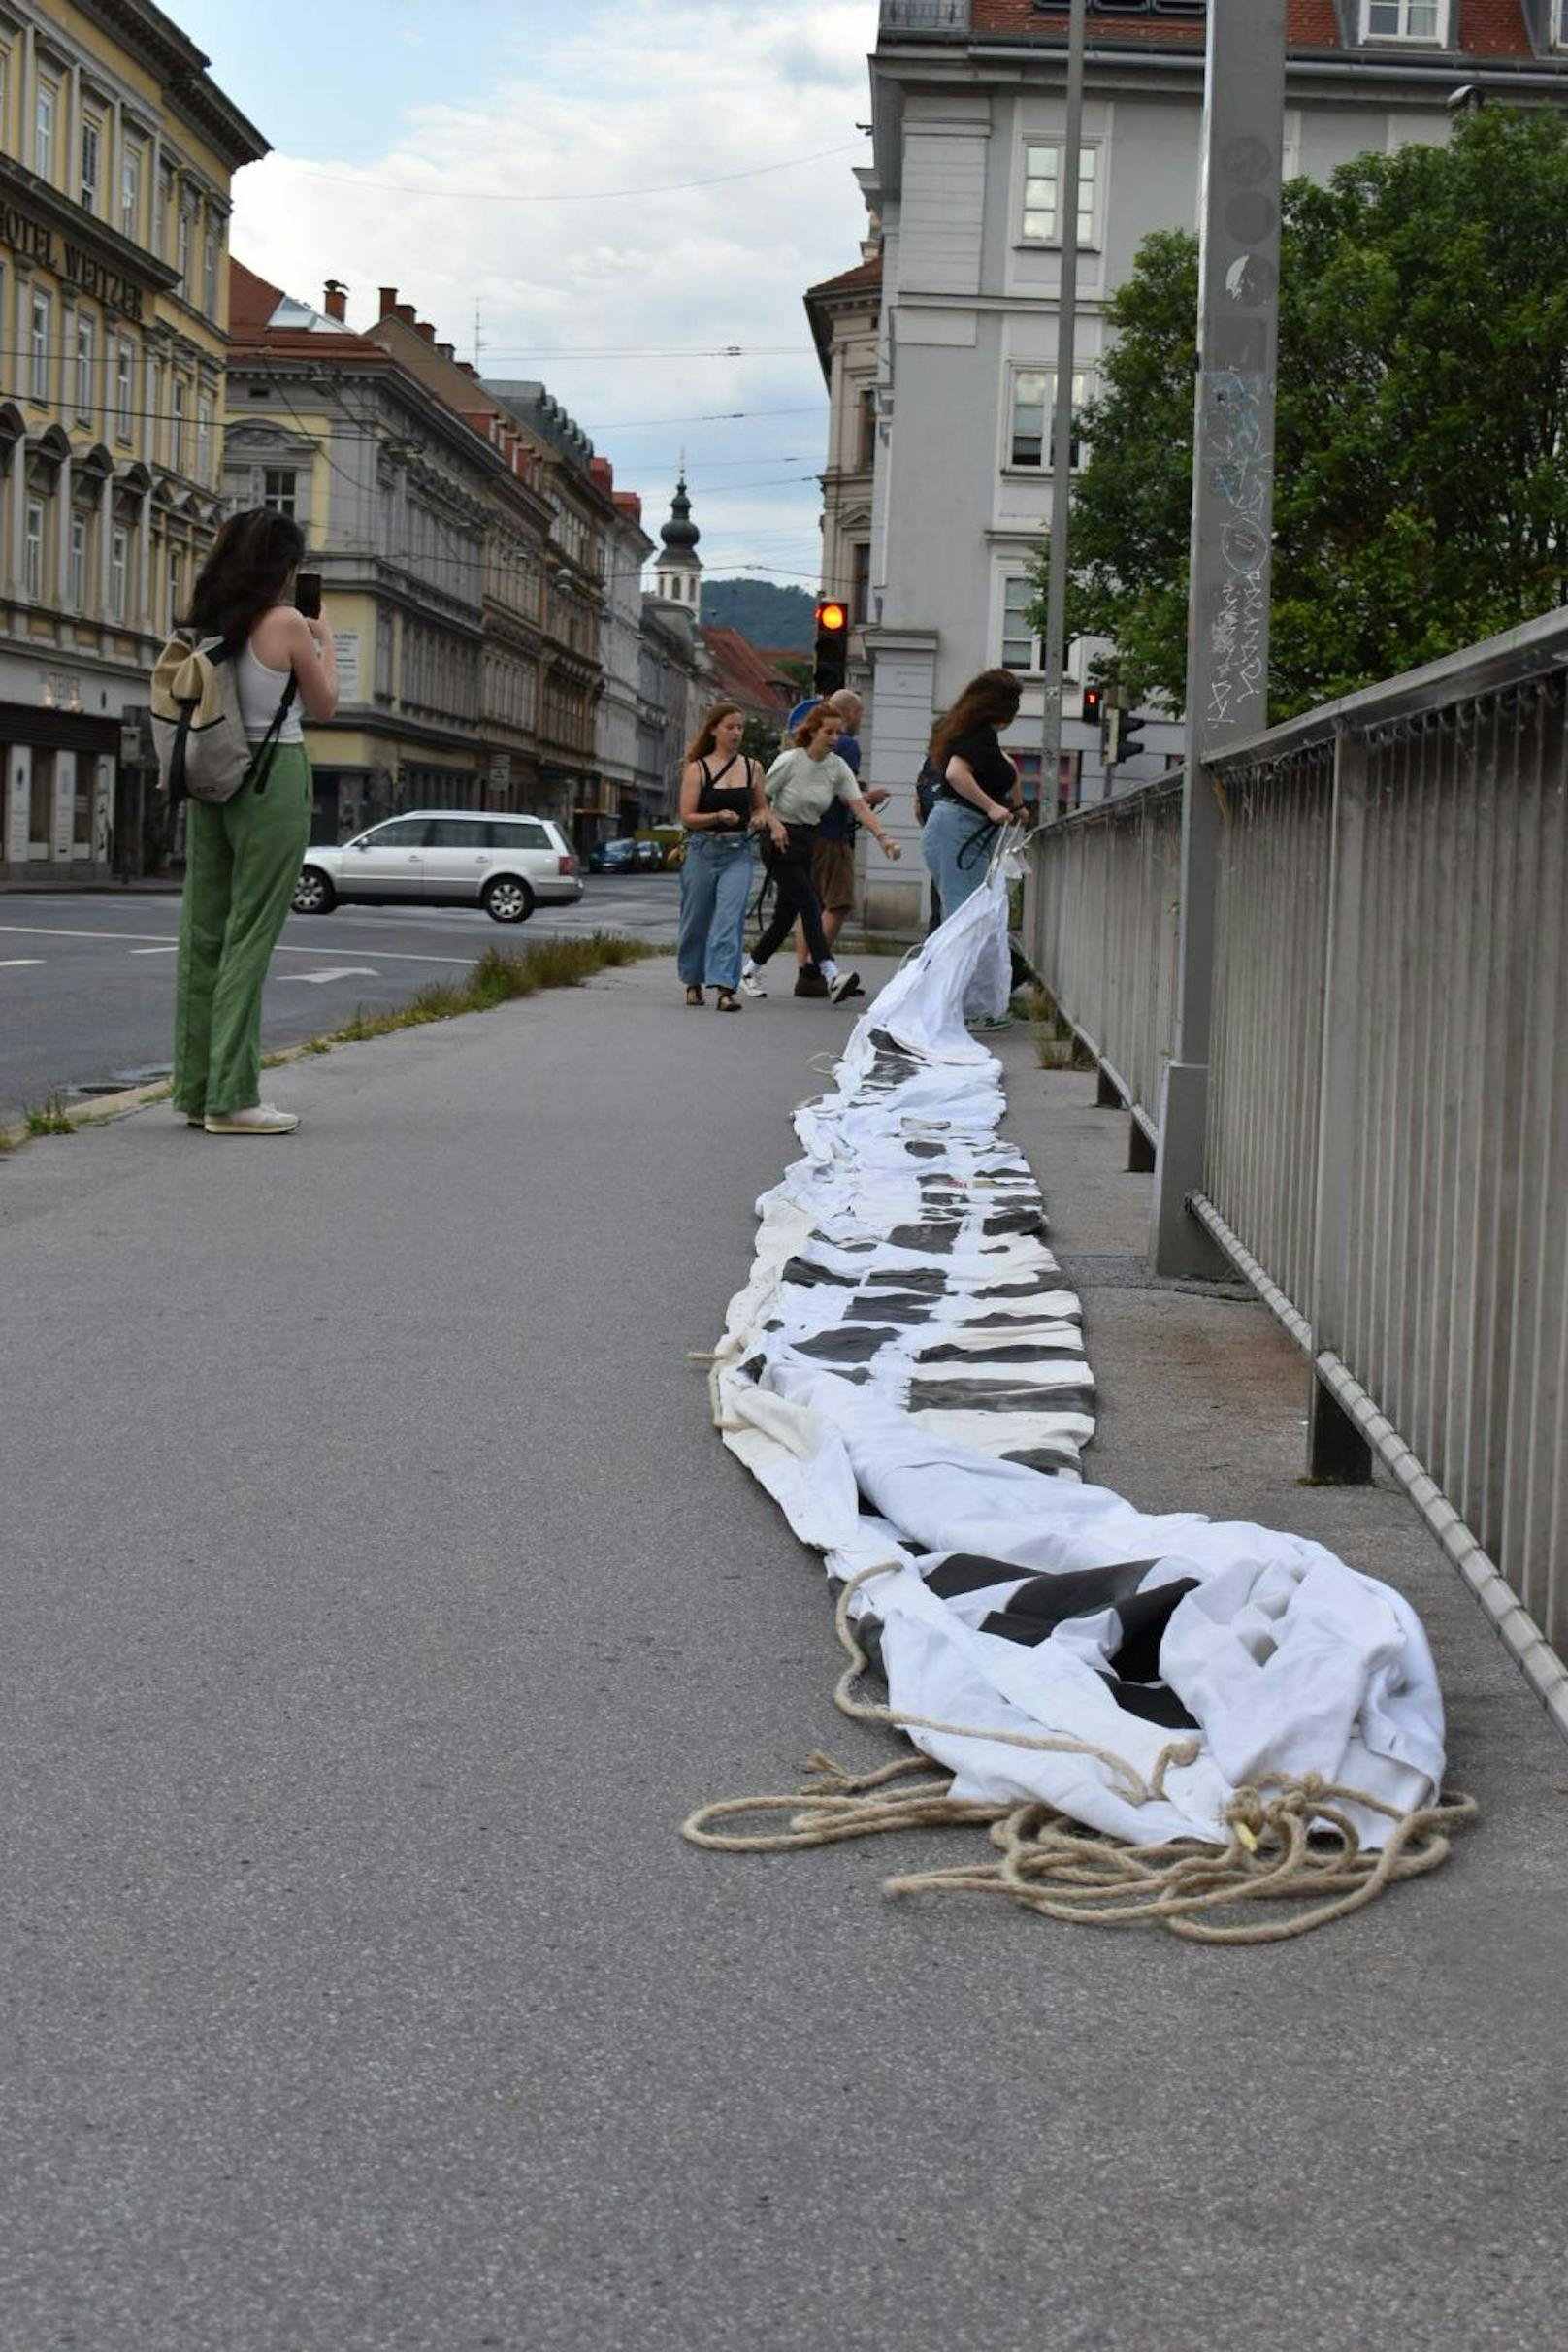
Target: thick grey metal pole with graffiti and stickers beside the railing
<point x="1233" y="519"/>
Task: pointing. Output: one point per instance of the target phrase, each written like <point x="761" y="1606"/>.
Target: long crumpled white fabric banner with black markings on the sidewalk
<point x="906" y="1377"/>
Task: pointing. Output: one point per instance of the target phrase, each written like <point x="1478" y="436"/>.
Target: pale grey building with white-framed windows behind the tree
<point x="970" y="131"/>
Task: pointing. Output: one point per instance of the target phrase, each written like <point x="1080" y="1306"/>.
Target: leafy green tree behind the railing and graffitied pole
<point x="1421" y="479"/>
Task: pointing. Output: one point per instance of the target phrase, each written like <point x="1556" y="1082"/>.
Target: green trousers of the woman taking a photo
<point x="241" y="869"/>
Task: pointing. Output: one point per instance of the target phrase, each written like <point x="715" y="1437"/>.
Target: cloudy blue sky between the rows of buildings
<point x="532" y="161"/>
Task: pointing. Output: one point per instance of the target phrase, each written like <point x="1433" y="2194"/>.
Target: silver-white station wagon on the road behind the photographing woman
<point x="445" y="857"/>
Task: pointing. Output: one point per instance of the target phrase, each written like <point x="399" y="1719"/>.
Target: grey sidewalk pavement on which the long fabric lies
<point x="377" y="1605"/>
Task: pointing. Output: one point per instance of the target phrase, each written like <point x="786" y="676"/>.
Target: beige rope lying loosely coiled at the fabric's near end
<point x="1289" y="1840"/>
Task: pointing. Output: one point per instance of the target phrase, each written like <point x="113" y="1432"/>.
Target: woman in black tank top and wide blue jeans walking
<point x="721" y="806"/>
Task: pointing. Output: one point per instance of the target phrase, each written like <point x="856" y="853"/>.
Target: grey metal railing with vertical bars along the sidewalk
<point x="1388" y="1074"/>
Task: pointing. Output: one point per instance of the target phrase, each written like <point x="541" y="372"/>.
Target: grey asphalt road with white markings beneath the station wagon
<point x="88" y="980"/>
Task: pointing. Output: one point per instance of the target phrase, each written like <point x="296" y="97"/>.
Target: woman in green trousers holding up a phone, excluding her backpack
<point x="243" y="855"/>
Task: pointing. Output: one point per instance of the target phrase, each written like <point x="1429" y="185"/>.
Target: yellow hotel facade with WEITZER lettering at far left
<point x="116" y="163"/>
